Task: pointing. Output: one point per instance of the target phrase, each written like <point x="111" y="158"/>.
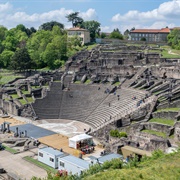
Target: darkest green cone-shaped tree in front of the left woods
<point x="21" y="60"/>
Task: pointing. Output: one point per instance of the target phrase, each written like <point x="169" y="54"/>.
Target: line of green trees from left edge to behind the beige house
<point x="27" y="48"/>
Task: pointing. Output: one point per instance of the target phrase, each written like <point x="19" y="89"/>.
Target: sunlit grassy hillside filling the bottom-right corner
<point x="159" y="167"/>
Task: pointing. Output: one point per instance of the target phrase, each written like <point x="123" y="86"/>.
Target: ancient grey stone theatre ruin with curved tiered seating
<point x="129" y="88"/>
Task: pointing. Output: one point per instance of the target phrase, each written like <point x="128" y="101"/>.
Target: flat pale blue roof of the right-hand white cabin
<point x="76" y="161"/>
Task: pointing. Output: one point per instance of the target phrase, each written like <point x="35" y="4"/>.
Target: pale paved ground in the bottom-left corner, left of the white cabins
<point x="18" y="166"/>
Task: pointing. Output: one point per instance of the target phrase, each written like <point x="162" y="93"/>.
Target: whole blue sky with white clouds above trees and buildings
<point x="111" y="14"/>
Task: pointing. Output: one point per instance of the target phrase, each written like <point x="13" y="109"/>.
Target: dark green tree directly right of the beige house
<point x="93" y="27"/>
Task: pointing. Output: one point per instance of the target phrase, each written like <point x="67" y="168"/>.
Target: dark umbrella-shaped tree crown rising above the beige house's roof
<point x="75" y="19"/>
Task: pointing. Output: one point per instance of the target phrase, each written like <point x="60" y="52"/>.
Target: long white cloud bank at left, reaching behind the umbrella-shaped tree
<point x="10" y="17"/>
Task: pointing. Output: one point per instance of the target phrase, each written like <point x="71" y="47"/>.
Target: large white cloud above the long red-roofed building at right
<point x="167" y="14"/>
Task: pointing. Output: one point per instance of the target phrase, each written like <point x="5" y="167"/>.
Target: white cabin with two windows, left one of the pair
<point x="49" y="156"/>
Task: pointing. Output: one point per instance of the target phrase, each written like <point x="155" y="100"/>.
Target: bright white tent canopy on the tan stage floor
<point x="76" y="139"/>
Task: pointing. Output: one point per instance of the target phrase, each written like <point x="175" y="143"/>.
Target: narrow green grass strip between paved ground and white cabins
<point x="40" y="164"/>
